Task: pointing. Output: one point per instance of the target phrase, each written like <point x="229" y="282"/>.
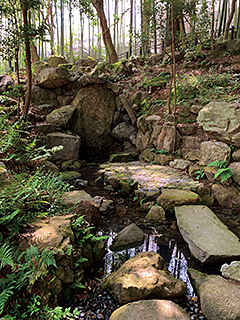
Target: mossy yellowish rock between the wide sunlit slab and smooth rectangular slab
<point x="170" y="198"/>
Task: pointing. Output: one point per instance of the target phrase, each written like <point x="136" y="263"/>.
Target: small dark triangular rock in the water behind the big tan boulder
<point x="130" y="236"/>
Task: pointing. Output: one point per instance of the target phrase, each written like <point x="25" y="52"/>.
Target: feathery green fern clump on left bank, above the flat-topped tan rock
<point x="28" y="197"/>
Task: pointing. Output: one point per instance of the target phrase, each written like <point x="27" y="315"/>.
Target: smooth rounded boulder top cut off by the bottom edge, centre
<point x="150" y="310"/>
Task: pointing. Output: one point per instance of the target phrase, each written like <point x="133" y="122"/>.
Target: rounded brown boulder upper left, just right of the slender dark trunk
<point x="51" y="78"/>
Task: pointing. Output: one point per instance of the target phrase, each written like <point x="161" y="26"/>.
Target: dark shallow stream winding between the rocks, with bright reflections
<point x="162" y="238"/>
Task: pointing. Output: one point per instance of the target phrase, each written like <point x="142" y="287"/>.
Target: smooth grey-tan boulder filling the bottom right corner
<point x="219" y="298"/>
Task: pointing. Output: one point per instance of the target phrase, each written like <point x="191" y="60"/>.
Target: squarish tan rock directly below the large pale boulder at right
<point x="211" y="151"/>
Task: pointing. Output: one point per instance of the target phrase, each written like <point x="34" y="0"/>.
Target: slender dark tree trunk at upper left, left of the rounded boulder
<point x="28" y="64"/>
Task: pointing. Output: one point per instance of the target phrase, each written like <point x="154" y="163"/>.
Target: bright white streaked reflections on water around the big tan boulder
<point x="174" y="258"/>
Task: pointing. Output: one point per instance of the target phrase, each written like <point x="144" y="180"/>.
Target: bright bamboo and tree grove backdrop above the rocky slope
<point x="110" y="29"/>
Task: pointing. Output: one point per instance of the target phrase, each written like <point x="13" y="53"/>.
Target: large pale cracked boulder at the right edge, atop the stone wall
<point x="221" y="121"/>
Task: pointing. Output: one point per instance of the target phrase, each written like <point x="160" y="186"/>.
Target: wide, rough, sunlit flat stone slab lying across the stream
<point x="148" y="176"/>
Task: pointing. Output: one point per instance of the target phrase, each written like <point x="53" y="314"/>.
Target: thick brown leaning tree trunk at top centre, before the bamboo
<point x="98" y="5"/>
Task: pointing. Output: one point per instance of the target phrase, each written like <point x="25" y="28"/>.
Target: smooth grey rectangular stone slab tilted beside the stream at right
<point x="209" y="240"/>
